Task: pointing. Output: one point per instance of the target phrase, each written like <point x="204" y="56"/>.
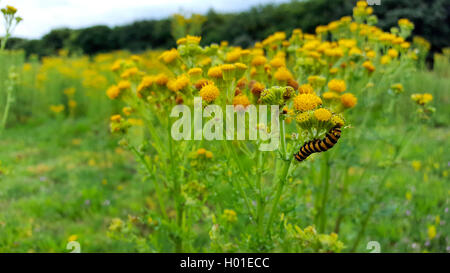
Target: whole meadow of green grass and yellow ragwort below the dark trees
<point x="87" y="153"/>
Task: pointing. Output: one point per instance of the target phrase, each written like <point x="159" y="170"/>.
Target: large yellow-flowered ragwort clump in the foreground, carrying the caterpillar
<point x="308" y="77"/>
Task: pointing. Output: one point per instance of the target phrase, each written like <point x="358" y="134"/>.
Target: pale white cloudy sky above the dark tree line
<point x="40" y="16"/>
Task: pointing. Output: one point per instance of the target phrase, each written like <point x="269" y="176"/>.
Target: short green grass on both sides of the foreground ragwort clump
<point x="67" y="177"/>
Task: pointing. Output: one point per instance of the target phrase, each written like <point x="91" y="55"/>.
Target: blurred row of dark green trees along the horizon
<point x="431" y="19"/>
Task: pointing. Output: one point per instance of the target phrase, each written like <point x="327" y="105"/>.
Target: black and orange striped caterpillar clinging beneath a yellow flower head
<point x="319" y="145"/>
